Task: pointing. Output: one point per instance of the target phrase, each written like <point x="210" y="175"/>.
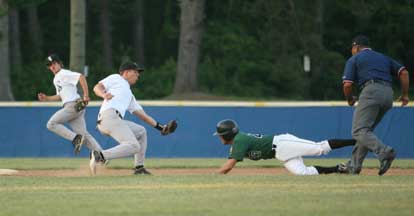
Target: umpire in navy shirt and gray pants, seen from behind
<point x="372" y="72"/>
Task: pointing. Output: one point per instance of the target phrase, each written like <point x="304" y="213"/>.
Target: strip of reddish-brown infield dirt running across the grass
<point x="193" y="171"/>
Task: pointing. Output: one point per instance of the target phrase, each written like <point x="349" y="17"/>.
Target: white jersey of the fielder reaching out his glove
<point x="123" y="99"/>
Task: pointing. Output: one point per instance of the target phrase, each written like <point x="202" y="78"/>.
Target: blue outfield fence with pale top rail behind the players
<point x="24" y="132"/>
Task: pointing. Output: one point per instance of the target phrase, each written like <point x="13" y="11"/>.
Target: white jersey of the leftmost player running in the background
<point x="65" y="82"/>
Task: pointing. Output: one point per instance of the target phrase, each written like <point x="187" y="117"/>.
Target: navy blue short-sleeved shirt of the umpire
<point x="370" y="65"/>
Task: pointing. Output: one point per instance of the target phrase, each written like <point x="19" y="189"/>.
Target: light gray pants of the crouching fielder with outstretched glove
<point x="132" y="138"/>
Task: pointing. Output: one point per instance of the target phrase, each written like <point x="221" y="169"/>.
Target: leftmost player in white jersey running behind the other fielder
<point x="73" y="112"/>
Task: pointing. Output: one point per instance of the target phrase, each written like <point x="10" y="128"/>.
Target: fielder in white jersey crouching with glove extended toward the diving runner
<point x="118" y="99"/>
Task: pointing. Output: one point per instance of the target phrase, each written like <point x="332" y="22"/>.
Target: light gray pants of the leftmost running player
<point x="76" y="120"/>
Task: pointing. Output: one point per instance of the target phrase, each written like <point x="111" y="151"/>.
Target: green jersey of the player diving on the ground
<point x="252" y="146"/>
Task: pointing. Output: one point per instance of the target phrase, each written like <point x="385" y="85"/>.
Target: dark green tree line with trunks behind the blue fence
<point x="232" y="49"/>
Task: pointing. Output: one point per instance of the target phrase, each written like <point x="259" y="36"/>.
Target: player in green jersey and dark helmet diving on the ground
<point x="285" y="147"/>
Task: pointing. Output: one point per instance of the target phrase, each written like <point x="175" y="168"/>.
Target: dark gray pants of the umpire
<point x="374" y="101"/>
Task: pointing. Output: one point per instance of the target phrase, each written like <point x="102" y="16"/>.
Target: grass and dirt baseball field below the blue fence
<point x="63" y="186"/>
